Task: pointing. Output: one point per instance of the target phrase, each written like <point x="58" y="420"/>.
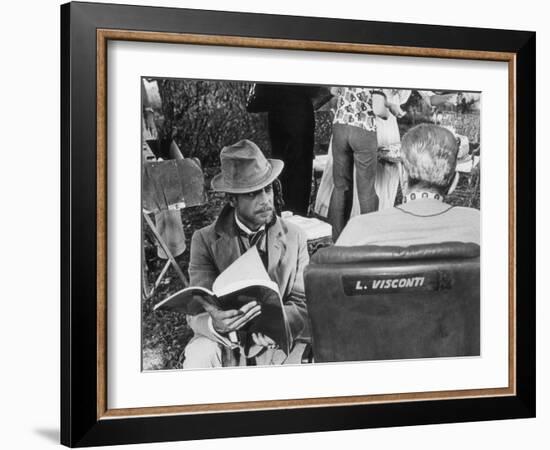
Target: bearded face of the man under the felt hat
<point x="255" y="208"/>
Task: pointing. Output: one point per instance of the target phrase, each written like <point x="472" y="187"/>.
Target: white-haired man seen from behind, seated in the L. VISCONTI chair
<point x="429" y="154"/>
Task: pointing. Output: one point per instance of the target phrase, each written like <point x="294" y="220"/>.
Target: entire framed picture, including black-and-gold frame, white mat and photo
<point x="277" y="224"/>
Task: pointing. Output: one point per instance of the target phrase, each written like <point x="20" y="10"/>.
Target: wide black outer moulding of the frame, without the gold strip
<point x="79" y="426"/>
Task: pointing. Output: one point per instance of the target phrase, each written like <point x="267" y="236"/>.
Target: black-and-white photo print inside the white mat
<point x="288" y="224"/>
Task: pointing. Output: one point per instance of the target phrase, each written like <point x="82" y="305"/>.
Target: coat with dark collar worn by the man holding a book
<point x="215" y="247"/>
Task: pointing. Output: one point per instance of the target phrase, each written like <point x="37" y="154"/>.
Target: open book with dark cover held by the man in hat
<point x="243" y="281"/>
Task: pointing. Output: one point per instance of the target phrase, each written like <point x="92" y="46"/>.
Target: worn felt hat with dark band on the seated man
<point x="245" y="169"/>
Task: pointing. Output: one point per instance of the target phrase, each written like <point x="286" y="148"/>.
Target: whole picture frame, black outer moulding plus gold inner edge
<point x="86" y="419"/>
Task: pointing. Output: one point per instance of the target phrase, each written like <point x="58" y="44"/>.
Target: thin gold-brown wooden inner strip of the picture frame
<point x="103" y="36"/>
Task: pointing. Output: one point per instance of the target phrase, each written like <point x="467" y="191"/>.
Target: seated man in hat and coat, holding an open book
<point x="248" y="219"/>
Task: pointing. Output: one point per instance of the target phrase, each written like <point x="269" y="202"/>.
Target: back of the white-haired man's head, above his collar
<point x="429" y="154"/>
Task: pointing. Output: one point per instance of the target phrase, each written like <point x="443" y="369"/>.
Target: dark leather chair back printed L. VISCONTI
<point x="376" y="303"/>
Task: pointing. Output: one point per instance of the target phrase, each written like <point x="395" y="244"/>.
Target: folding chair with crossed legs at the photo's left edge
<point x="167" y="186"/>
